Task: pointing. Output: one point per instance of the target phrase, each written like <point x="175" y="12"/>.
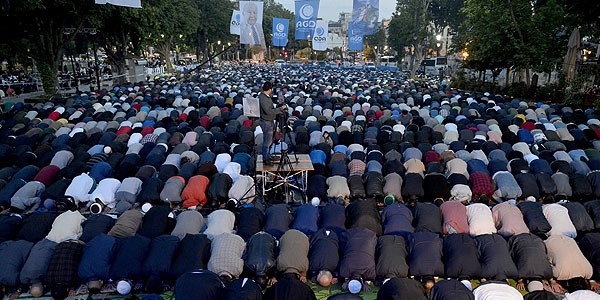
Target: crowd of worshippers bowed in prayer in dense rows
<point x="149" y="187"/>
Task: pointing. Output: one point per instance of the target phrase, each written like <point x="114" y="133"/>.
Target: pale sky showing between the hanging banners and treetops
<point x="330" y="9"/>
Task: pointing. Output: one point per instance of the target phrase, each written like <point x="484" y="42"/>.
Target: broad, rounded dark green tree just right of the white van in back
<point x="512" y="34"/>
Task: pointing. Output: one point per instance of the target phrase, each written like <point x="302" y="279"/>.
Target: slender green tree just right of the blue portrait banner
<point x="408" y="29"/>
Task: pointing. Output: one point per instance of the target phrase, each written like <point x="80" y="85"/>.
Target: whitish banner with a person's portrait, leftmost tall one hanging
<point x="251" y="32"/>
